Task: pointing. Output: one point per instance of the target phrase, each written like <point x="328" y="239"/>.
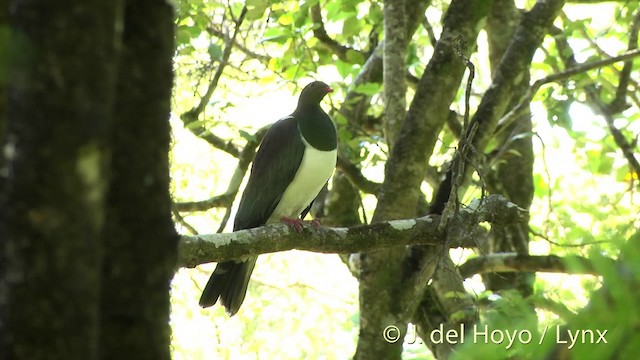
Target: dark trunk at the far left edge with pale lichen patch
<point x="60" y="94"/>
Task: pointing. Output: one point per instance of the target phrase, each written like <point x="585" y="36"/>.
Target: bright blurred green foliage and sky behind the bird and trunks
<point x="239" y="71"/>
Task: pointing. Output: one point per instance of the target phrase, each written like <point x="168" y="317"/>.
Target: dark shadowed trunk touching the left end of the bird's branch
<point x="140" y="241"/>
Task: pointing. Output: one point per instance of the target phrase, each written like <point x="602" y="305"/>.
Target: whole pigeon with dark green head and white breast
<point x="295" y="160"/>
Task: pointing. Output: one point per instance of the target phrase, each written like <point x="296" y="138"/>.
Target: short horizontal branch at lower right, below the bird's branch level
<point x="513" y="262"/>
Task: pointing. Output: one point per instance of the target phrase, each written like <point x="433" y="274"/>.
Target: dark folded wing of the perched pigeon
<point x="273" y="169"/>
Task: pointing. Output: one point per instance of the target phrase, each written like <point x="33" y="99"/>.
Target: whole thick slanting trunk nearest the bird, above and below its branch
<point x="400" y="192"/>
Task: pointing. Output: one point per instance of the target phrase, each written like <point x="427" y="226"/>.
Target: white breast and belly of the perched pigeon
<point x="314" y="171"/>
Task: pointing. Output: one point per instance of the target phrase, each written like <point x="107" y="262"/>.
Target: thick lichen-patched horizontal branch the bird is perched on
<point x="199" y="249"/>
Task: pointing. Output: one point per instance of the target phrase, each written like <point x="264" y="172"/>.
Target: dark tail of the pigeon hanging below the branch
<point x="228" y="282"/>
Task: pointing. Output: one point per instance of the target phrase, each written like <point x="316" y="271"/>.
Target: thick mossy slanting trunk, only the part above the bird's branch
<point x="428" y="112"/>
